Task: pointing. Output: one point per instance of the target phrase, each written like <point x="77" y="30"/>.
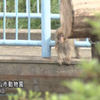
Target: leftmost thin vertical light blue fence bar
<point x="4" y="20"/>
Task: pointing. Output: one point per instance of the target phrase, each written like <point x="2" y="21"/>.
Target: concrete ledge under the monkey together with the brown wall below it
<point x="36" y="71"/>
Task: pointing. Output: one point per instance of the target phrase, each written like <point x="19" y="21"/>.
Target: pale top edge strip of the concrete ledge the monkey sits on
<point x="35" y="60"/>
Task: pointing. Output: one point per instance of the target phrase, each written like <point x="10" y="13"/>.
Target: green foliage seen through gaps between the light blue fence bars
<point x="23" y="23"/>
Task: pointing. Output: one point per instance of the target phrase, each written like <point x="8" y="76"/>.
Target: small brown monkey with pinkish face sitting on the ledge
<point x="64" y="48"/>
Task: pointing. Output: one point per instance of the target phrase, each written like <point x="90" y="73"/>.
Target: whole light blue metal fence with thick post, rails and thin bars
<point x="46" y="43"/>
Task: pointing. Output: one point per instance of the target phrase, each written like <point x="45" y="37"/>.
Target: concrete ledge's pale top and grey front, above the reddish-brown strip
<point x="36" y="66"/>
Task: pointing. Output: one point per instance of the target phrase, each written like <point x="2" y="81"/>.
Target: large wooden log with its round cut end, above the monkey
<point x="73" y="13"/>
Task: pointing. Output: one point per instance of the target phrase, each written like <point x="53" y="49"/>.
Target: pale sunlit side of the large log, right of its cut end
<point x="84" y="9"/>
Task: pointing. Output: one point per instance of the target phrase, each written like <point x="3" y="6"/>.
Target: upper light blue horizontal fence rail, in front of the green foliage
<point x="25" y="15"/>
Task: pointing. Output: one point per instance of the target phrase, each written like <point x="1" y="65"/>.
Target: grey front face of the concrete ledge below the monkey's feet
<point x="39" y="70"/>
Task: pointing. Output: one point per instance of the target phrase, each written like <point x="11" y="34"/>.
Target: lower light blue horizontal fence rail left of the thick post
<point x="20" y="43"/>
